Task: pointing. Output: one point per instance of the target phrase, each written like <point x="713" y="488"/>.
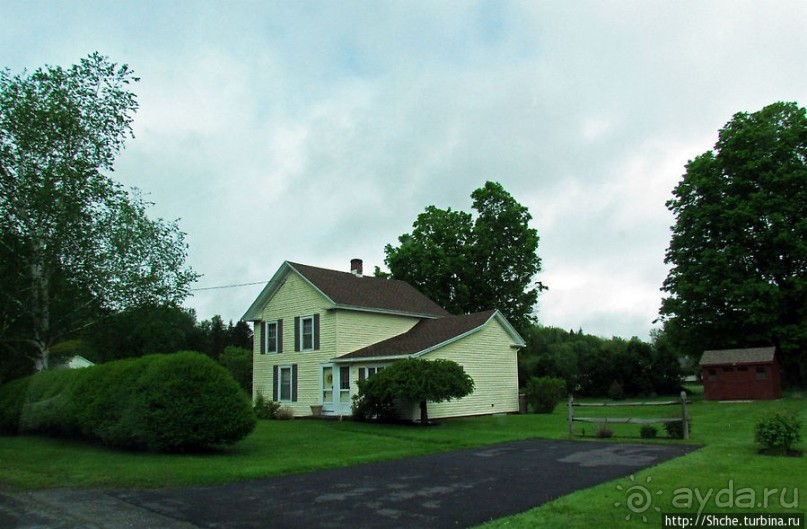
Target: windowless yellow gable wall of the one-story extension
<point x="486" y="355"/>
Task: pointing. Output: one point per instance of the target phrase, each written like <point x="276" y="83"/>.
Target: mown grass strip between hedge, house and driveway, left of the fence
<point x="276" y="447"/>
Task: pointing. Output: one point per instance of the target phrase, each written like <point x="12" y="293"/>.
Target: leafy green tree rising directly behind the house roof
<point x="470" y="263"/>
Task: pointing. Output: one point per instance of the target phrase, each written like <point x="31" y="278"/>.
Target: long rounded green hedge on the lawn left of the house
<point x="164" y="403"/>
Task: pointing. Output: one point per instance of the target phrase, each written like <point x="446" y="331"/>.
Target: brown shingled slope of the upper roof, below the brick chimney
<point x="346" y="289"/>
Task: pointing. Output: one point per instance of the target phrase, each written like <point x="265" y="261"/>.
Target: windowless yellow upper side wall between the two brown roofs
<point x="357" y="329"/>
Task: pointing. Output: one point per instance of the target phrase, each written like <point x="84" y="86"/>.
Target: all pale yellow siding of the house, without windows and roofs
<point x="486" y="354"/>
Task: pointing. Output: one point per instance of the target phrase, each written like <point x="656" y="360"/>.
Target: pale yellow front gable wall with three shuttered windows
<point x="296" y="297"/>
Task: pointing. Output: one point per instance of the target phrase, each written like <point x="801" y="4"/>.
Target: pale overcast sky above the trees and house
<point x="317" y="131"/>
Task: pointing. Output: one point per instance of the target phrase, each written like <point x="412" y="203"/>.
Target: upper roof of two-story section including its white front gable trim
<point x="348" y="291"/>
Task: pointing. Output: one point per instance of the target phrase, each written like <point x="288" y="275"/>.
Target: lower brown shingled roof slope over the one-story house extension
<point x="424" y="335"/>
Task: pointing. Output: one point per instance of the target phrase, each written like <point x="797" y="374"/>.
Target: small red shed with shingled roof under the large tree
<point x="741" y="374"/>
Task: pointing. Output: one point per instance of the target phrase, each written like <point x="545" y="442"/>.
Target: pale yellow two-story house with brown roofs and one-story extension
<point x="319" y="331"/>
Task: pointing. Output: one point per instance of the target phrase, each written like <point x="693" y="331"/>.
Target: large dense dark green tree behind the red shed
<point x="739" y="245"/>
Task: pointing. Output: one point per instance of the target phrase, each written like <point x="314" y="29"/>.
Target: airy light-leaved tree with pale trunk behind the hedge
<point x="75" y="241"/>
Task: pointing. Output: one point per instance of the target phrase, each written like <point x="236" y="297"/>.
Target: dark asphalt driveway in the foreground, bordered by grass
<point x="452" y="489"/>
